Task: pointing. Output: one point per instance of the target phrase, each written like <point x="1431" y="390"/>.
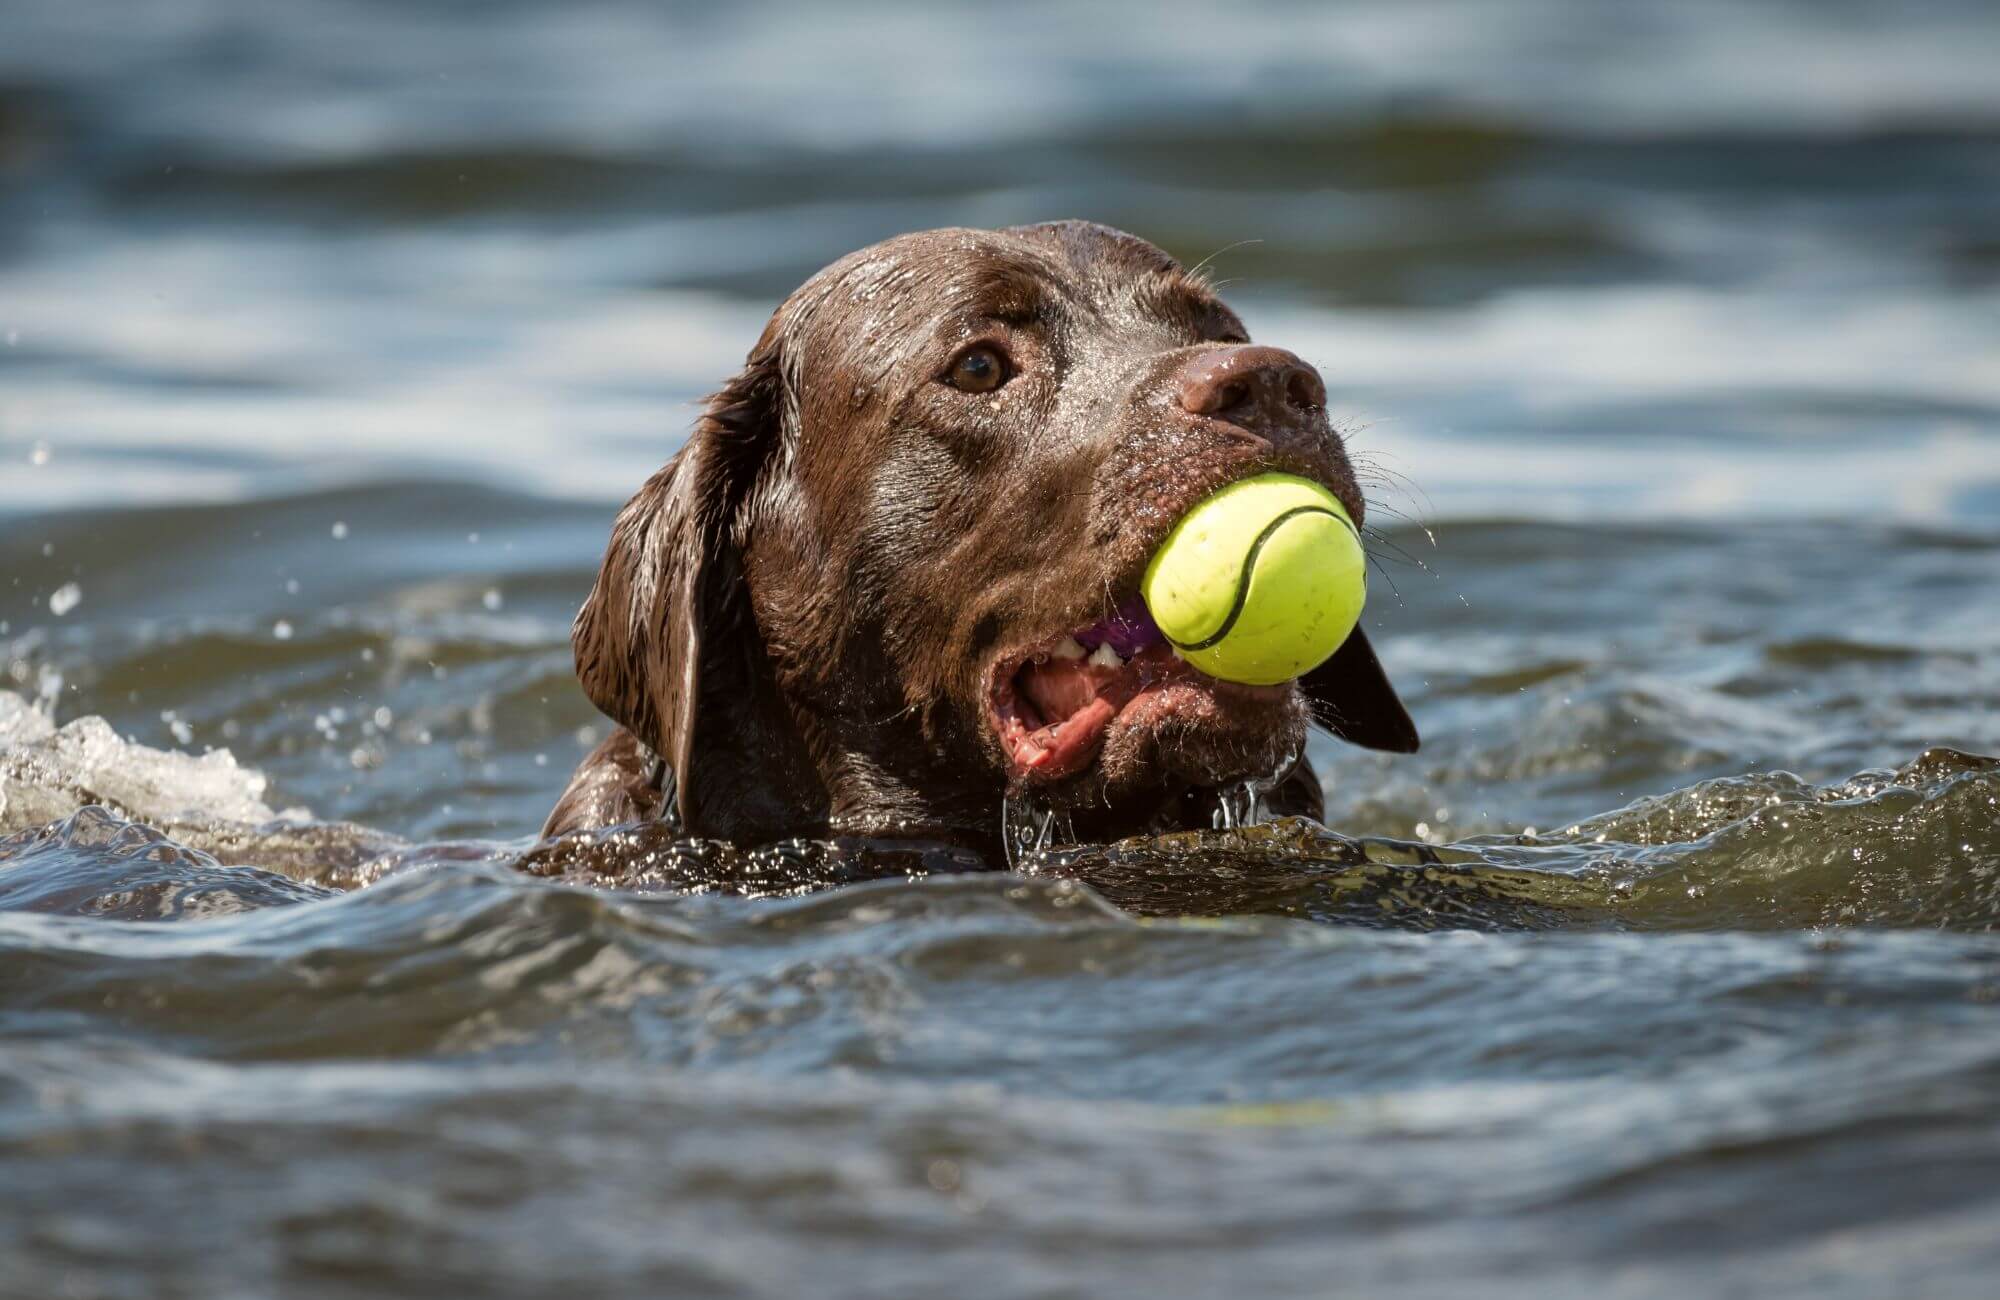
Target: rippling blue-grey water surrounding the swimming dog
<point x="333" y="333"/>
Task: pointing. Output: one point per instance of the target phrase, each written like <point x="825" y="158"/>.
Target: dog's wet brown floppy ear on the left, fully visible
<point x="669" y="615"/>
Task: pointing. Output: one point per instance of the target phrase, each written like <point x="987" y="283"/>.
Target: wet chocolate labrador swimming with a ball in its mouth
<point x="893" y="575"/>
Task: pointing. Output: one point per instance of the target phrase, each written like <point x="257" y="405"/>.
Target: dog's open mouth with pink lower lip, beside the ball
<point x="1053" y="707"/>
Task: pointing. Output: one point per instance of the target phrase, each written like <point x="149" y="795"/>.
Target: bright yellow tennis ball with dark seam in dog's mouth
<point x="1259" y="583"/>
